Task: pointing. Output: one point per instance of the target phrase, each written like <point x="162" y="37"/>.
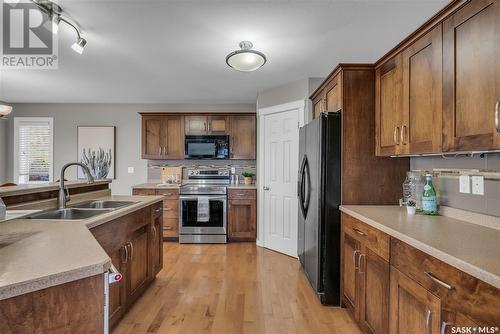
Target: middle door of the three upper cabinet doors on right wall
<point x="421" y="127"/>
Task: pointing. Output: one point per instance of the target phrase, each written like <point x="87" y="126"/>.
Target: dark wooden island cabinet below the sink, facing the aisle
<point x="136" y="250"/>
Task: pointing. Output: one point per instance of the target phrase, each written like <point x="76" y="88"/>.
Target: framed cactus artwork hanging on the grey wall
<point x="96" y="150"/>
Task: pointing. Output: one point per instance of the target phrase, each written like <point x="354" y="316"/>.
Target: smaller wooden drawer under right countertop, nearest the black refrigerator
<point x="372" y="238"/>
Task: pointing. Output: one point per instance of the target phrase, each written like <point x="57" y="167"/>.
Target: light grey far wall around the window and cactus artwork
<point x="128" y="134"/>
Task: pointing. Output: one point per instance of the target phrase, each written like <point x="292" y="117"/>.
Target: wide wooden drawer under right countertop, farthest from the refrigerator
<point x="458" y="291"/>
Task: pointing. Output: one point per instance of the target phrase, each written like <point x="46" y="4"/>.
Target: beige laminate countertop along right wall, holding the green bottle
<point x="472" y="248"/>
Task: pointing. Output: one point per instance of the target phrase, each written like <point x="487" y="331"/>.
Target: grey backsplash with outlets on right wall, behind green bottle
<point x="489" y="203"/>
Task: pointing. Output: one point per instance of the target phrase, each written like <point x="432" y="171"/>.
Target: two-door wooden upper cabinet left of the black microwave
<point x="163" y="137"/>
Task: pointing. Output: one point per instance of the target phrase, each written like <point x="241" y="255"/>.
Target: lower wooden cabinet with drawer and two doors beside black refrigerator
<point x="365" y="275"/>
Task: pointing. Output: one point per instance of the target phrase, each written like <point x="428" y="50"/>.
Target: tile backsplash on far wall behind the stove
<point x="241" y="166"/>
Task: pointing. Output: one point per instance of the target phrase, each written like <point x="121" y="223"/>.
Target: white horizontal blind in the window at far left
<point x="34" y="151"/>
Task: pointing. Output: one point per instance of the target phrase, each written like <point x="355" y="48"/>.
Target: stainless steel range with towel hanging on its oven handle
<point x="203" y="206"/>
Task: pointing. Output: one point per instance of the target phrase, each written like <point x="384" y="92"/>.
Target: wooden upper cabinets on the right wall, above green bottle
<point x="439" y="89"/>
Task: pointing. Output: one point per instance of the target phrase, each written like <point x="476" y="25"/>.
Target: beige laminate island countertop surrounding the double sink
<point x="37" y="254"/>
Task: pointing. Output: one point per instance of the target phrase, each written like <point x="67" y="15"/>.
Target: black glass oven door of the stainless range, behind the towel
<point x="189" y="223"/>
